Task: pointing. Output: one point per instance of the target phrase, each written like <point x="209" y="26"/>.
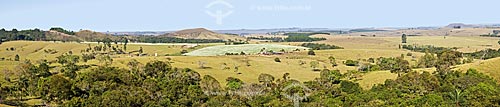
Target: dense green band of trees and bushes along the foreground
<point x="157" y="83"/>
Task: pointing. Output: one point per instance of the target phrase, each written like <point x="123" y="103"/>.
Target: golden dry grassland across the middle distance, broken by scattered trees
<point x="356" y="48"/>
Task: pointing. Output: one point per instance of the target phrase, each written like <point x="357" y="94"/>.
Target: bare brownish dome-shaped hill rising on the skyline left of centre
<point x="201" y="33"/>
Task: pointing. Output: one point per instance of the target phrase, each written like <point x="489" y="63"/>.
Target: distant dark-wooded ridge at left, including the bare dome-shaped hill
<point x="59" y="34"/>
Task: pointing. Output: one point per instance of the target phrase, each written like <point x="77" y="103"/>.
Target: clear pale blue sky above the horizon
<point x="168" y="15"/>
